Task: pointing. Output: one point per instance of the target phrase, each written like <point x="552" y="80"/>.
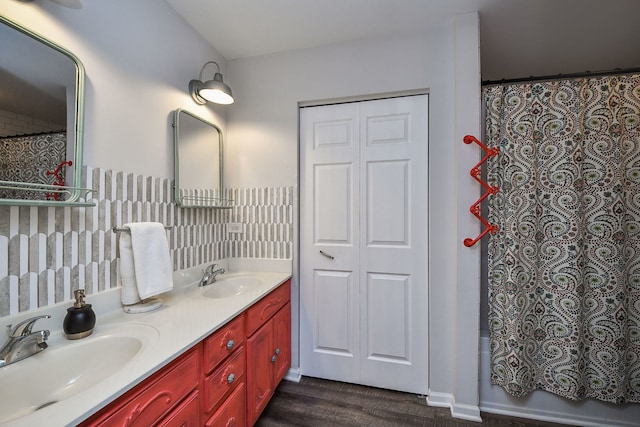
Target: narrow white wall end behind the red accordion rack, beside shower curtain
<point x="467" y="122"/>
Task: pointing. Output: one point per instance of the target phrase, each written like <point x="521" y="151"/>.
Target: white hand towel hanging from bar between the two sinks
<point x="151" y="260"/>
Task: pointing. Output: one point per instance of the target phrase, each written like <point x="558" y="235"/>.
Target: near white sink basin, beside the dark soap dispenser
<point x="69" y="367"/>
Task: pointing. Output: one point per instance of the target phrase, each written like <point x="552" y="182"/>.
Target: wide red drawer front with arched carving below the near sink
<point x="158" y="397"/>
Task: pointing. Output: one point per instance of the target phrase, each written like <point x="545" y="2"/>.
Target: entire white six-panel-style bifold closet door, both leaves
<point x="364" y="203"/>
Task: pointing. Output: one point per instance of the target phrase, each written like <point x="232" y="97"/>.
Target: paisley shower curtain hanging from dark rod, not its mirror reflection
<point x="564" y="268"/>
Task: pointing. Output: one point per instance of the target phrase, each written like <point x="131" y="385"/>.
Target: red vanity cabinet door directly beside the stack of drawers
<point x="259" y="371"/>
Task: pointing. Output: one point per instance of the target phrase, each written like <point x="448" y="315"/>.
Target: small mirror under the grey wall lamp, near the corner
<point x="198" y="162"/>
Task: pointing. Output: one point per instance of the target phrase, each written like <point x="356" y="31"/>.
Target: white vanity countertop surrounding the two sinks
<point x="183" y="321"/>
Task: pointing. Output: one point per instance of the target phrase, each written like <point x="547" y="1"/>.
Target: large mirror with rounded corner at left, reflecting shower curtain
<point x="41" y="120"/>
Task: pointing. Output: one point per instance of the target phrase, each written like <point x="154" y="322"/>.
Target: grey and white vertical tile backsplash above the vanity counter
<point x="46" y="253"/>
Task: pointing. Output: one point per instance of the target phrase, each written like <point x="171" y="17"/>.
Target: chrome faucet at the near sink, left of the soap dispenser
<point x="22" y="342"/>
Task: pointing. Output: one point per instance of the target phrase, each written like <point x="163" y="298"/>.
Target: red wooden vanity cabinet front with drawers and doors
<point x="225" y="380"/>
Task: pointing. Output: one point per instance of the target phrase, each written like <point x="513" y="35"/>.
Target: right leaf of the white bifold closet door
<point x="393" y="251"/>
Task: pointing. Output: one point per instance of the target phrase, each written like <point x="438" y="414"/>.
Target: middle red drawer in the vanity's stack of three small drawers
<point x="224" y="380"/>
